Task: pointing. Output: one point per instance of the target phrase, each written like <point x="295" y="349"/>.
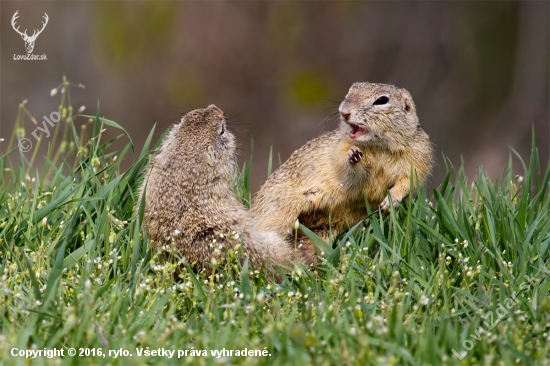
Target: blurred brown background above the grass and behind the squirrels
<point x="478" y="71"/>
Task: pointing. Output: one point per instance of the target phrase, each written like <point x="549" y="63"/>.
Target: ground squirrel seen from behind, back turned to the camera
<point x="189" y="196"/>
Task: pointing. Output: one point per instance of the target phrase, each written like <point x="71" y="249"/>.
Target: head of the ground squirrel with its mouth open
<point x="379" y="114"/>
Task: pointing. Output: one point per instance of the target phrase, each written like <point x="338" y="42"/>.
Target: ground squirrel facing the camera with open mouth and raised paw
<point x="324" y="183"/>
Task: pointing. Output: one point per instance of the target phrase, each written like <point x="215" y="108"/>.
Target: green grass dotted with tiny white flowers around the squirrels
<point x="407" y="288"/>
